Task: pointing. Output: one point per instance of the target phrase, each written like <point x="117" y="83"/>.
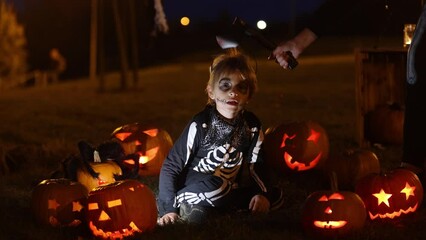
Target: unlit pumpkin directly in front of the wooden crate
<point x="385" y="124"/>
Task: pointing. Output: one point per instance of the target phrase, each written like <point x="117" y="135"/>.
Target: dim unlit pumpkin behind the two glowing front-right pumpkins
<point x="351" y="165"/>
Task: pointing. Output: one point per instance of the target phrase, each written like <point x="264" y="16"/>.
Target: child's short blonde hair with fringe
<point x="229" y="62"/>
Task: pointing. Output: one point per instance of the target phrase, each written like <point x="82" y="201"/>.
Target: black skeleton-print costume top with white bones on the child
<point x="212" y="157"/>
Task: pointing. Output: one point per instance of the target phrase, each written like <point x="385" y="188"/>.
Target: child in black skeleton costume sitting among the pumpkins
<point x="214" y="163"/>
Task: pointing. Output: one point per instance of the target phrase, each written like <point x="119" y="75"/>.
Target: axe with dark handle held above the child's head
<point x="231" y="41"/>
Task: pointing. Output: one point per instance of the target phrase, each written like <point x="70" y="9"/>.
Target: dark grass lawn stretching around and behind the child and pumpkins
<point x="41" y="126"/>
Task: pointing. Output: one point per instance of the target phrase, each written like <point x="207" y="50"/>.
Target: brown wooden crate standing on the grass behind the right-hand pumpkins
<point x="380" y="77"/>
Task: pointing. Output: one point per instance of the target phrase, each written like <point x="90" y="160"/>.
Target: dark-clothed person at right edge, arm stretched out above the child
<point x="333" y="16"/>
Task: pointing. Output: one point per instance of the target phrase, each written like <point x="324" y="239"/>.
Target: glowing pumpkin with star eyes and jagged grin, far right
<point x="390" y="195"/>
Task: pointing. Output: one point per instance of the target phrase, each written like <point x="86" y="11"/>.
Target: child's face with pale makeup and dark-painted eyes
<point x="230" y="94"/>
